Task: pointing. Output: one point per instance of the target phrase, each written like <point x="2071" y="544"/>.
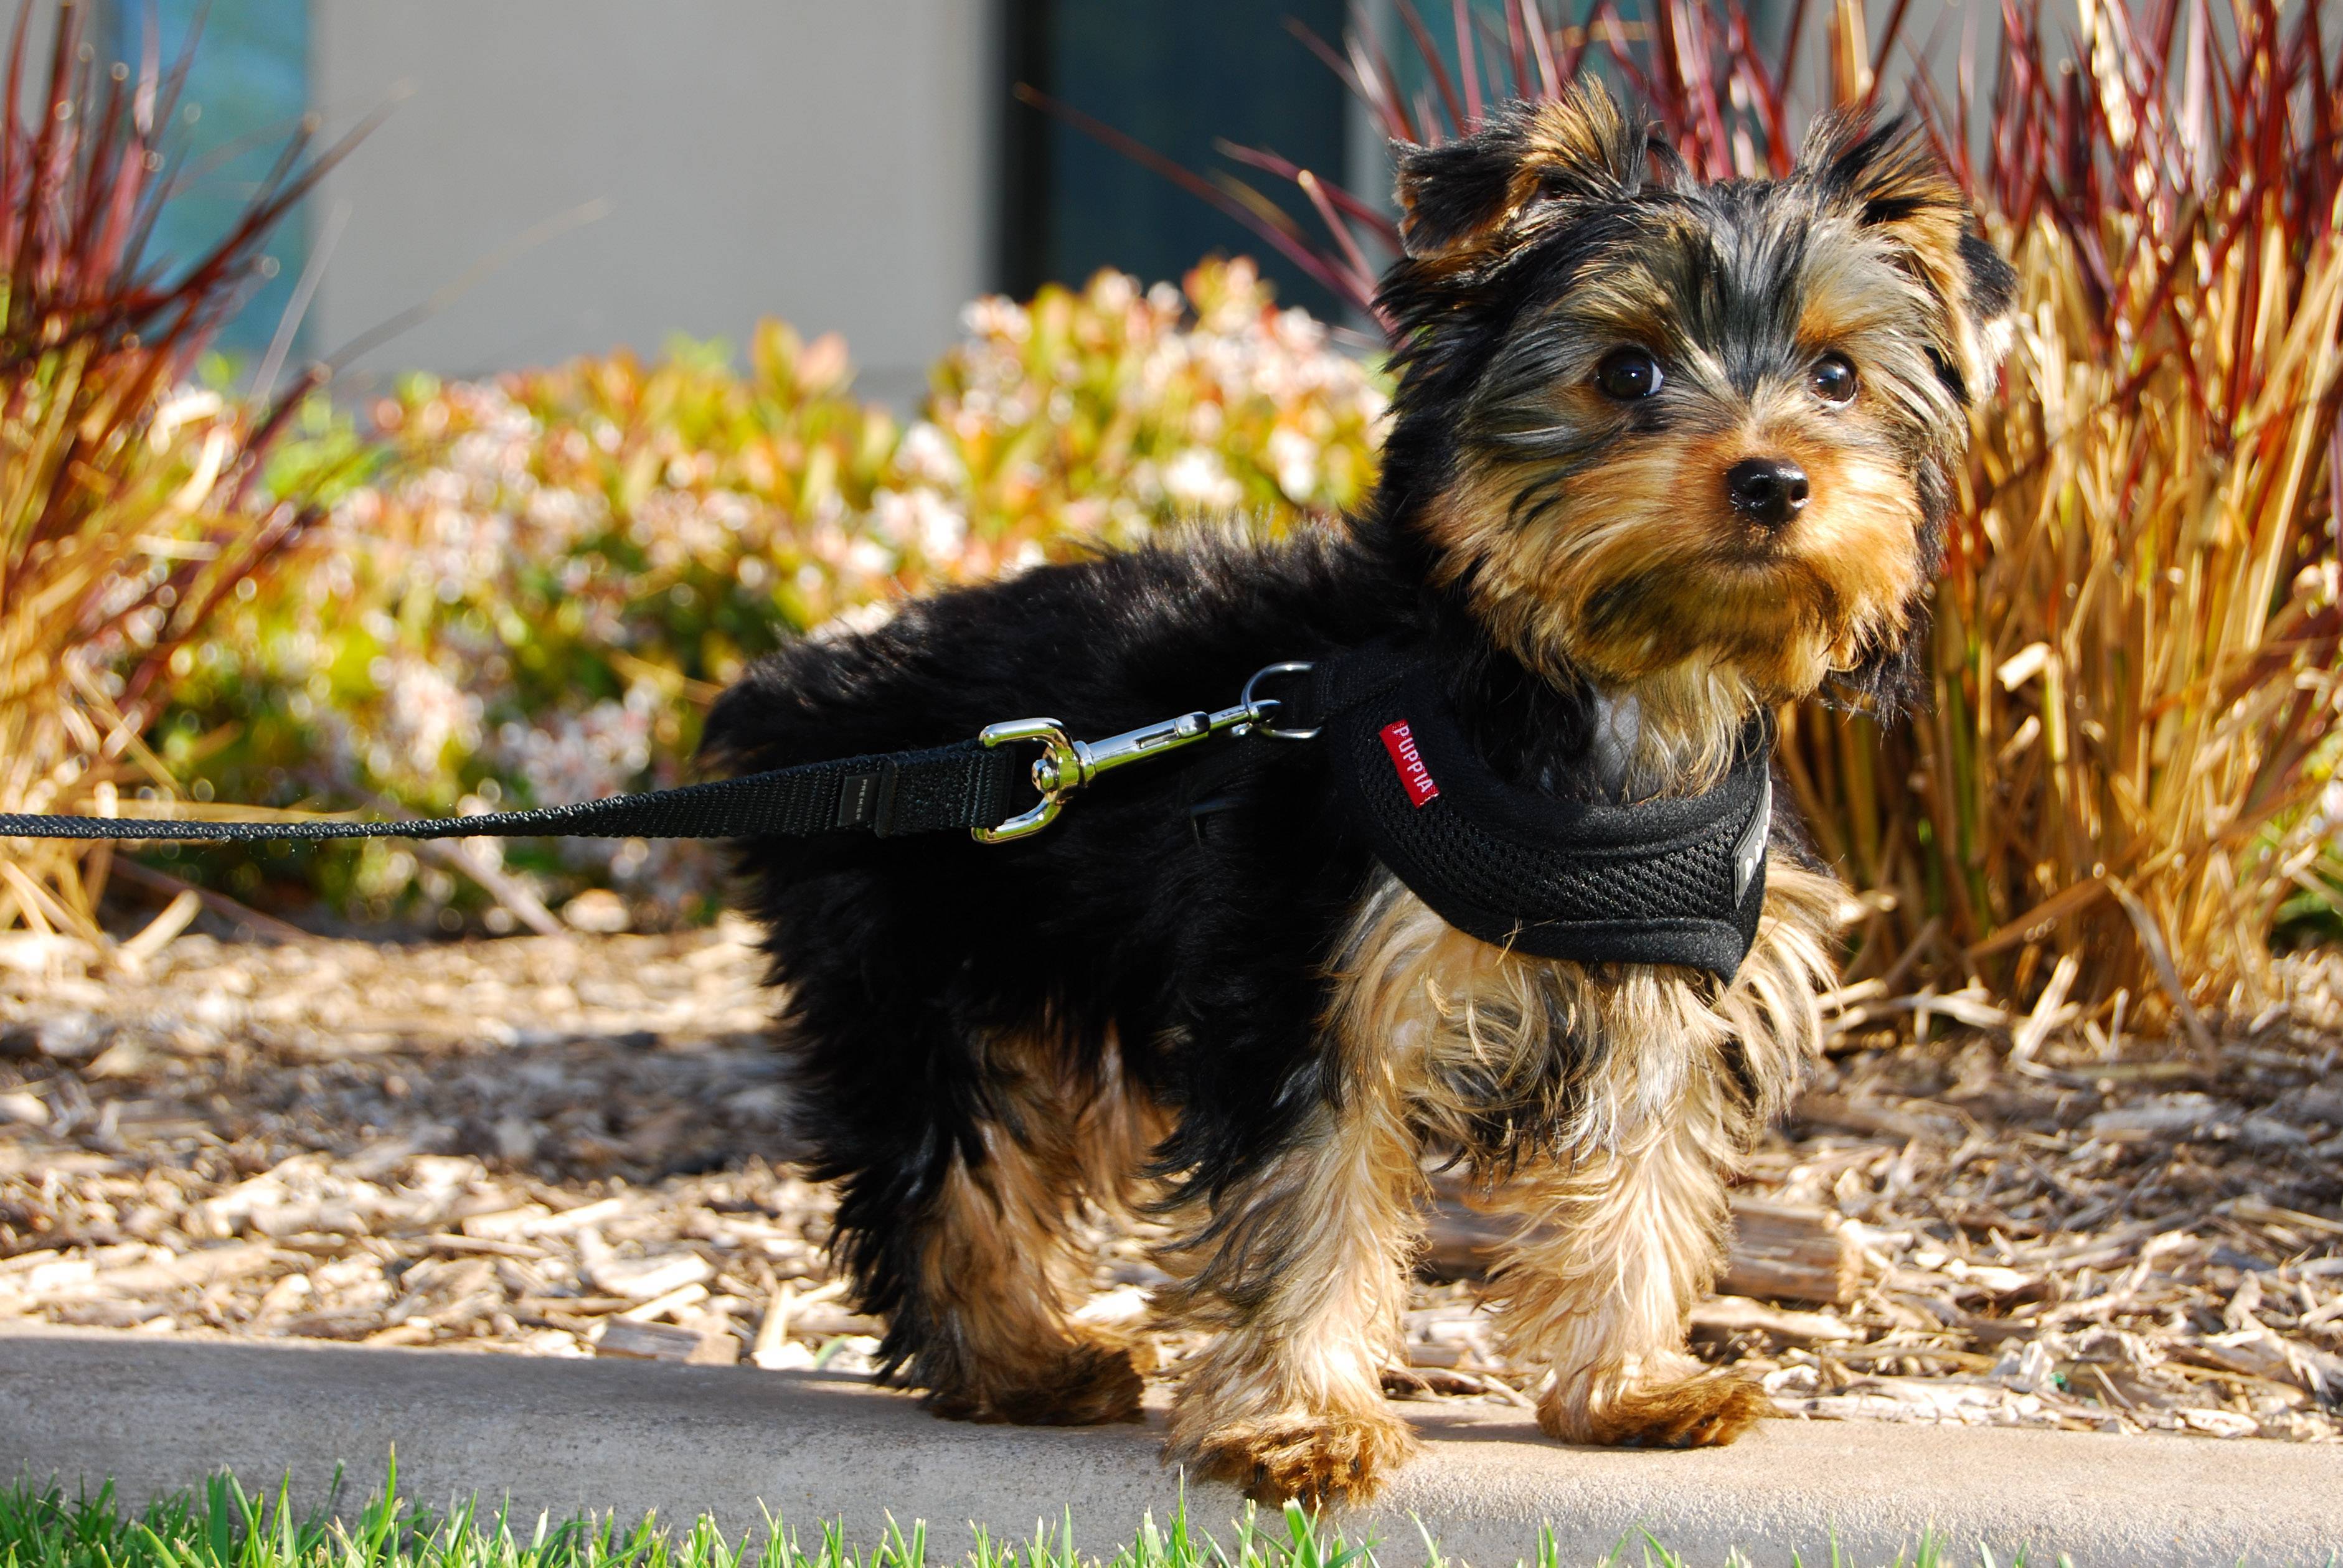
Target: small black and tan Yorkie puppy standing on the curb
<point x="1662" y="456"/>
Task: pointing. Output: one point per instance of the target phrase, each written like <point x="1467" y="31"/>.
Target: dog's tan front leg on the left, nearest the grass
<point x="1304" y="1272"/>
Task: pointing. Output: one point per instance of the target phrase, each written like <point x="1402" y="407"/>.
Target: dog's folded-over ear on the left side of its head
<point x="1566" y="151"/>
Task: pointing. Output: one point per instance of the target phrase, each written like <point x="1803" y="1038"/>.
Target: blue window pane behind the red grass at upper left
<point x="247" y="90"/>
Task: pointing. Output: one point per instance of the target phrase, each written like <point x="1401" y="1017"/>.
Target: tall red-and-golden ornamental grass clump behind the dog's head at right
<point x="2112" y="796"/>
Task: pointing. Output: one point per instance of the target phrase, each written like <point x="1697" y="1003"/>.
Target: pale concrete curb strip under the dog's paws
<point x="685" y="1440"/>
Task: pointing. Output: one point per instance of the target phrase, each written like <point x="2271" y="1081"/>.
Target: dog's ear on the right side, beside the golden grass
<point x="1894" y="184"/>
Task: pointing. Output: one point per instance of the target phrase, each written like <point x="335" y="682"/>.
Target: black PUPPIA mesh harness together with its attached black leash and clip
<point x="1658" y="882"/>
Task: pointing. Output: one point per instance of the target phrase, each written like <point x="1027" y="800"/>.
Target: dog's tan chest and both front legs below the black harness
<point x="1644" y="1091"/>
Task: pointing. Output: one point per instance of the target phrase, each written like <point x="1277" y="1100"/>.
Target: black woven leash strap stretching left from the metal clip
<point x="889" y="796"/>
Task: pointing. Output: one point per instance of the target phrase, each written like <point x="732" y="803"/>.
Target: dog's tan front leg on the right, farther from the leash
<point x="1599" y="1290"/>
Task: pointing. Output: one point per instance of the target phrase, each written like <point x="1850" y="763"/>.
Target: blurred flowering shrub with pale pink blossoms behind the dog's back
<point x="559" y="568"/>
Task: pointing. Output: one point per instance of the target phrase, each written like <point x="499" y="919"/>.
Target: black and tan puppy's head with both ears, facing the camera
<point x="1648" y="423"/>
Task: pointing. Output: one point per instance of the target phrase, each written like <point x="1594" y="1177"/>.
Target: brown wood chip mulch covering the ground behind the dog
<point x="575" y="1147"/>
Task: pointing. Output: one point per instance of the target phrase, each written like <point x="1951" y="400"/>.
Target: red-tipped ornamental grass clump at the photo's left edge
<point x="132" y="507"/>
